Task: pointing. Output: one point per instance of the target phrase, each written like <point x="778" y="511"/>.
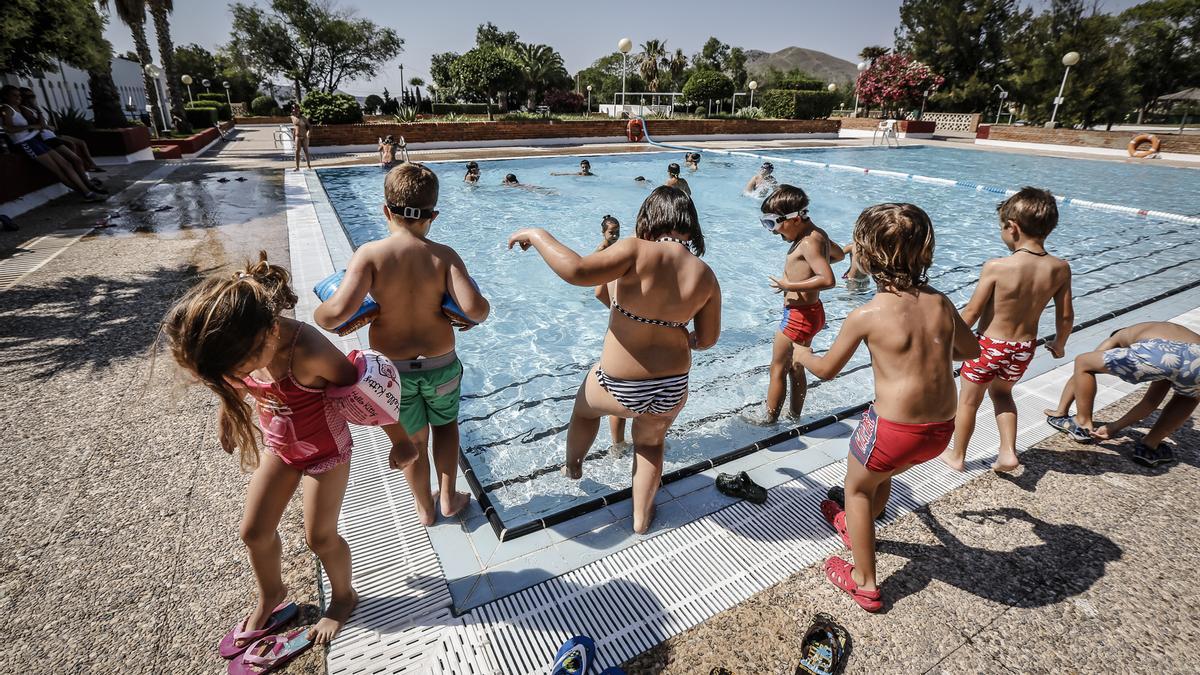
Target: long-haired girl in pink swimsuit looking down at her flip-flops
<point x="230" y="333"/>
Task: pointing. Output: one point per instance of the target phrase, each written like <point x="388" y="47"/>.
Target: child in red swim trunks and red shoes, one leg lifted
<point x="913" y="333"/>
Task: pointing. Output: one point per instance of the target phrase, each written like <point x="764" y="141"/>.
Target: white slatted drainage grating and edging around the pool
<point x="628" y="601"/>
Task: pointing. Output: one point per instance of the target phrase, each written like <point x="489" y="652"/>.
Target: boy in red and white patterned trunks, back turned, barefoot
<point x="1009" y="302"/>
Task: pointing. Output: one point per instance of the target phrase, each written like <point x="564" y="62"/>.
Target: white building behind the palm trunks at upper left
<point x="69" y="88"/>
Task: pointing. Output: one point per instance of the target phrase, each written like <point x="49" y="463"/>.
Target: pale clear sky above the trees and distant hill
<point x="581" y="32"/>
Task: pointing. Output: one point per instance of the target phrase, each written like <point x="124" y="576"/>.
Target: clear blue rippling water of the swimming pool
<point x="526" y="363"/>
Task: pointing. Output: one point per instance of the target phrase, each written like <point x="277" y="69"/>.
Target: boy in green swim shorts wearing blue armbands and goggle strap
<point x="409" y="274"/>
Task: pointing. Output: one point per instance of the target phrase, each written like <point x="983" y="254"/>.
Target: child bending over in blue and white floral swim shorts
<point x="1160" y="353"/>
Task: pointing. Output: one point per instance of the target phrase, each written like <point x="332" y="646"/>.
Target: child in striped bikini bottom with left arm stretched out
<point x="661" y="285"/>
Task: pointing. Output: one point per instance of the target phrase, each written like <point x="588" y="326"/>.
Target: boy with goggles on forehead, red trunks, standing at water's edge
<point x="807" y="272"/>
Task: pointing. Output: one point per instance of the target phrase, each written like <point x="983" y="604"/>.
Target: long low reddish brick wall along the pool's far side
<point x="443" y="133"/>
